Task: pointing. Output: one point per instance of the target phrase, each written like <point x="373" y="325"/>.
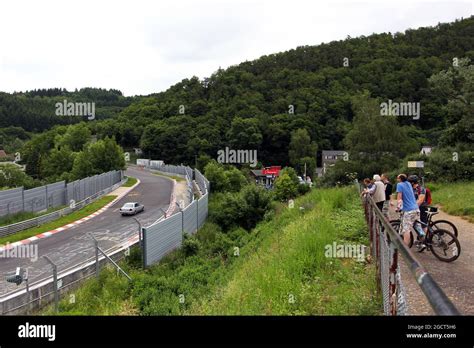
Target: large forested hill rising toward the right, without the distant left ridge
<point x="247" y="106"/>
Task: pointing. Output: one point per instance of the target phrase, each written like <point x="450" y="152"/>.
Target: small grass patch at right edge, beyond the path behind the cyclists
<point x="455" y="198"/>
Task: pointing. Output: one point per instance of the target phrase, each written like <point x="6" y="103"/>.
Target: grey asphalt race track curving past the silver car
<point x="73" y="246"/>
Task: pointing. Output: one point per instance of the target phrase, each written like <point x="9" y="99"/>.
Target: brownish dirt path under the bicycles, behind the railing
<point x="456" y="278"/>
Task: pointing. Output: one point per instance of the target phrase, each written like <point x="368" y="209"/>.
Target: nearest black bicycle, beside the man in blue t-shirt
<point x="438" y="241"/>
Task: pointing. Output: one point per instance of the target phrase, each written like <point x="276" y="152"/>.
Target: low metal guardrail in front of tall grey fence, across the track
<point x="37" y="221"/>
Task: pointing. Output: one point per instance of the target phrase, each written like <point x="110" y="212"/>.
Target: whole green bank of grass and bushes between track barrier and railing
<point x="282" y="257"/>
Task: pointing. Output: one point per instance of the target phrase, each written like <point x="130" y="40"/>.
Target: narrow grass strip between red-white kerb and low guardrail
<point x="87" y="210"/>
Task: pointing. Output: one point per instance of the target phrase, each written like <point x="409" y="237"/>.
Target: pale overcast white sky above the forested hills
<point x="144" y="46"/>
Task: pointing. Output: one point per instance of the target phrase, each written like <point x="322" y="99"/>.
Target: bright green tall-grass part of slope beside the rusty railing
<point x="290" y="263"/>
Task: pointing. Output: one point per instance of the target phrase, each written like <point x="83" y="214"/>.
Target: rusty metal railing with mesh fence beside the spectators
<point x="386" y="245"/>
